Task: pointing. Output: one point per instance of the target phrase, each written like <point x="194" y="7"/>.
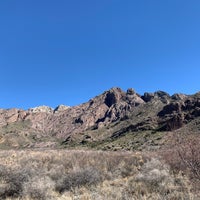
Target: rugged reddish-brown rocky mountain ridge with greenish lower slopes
<point x="114" y="119"/>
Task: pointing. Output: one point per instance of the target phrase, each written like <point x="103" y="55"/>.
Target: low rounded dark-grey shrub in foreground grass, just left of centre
<point x="83" y="177"/>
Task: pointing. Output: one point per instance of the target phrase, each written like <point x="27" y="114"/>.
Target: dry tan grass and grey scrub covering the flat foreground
<point x="85" y="175"/>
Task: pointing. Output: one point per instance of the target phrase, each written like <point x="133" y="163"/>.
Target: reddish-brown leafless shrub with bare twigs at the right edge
<point x="184" y="156"/>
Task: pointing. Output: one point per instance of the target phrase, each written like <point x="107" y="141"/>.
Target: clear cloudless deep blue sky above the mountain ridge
<point x="68" y="51"/>
